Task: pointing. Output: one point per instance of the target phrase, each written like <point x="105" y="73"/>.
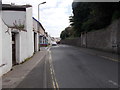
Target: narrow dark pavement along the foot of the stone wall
<point x="103" y="54"/>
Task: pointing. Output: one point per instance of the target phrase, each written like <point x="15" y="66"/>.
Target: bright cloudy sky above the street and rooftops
<point x="54" y="14"/>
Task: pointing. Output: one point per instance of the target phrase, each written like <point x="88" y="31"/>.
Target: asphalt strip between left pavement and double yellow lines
<point x="39" y="77"/>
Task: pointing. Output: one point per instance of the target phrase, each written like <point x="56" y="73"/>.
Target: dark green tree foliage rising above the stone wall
<point x="88" y="16"/>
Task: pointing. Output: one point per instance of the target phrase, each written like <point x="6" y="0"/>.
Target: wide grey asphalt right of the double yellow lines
<point x="76" y="69"/>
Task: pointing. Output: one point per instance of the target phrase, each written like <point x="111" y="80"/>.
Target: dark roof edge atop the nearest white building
<point x="15" y="7"/>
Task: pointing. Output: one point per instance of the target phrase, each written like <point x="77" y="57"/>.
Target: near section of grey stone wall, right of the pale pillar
<point x="104" y="39"/>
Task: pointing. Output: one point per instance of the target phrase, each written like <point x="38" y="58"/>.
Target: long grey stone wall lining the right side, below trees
<point x="107" y="39"/>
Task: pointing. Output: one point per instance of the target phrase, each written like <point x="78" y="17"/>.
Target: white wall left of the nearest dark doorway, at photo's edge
<point x="6" y="49"/>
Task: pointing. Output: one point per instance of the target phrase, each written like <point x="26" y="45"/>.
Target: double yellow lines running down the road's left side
<point x="54" y="81"/>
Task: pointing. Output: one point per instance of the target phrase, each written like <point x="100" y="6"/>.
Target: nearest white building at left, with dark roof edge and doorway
<point x="17" y="35"/>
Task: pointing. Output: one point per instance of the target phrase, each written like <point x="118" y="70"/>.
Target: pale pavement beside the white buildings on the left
<point x="19" y="72"/>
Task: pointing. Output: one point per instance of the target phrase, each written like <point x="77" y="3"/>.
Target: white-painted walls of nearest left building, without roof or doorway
<point x="25" y="40"/>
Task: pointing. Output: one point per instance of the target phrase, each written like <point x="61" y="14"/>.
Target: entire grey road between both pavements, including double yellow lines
<point x="69" y="67"/>
